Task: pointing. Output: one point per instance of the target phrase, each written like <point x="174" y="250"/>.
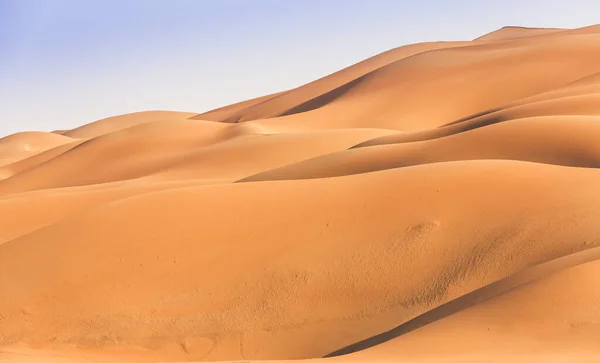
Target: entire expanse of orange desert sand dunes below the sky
<point x="439" y="202"/>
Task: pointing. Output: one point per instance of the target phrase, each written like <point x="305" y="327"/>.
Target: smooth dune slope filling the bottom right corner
<point x="511" y="324"/>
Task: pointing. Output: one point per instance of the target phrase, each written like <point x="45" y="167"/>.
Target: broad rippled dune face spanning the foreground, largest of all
<point x="282" y="280"/>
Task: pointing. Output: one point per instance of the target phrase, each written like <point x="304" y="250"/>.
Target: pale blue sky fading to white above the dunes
<point x="64" y="63"/>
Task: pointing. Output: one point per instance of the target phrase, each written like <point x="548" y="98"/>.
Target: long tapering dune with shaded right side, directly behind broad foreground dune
<point x="556" y="140"/>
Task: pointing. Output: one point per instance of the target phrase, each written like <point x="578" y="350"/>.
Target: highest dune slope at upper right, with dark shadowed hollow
<point x="399" y="93"/>
